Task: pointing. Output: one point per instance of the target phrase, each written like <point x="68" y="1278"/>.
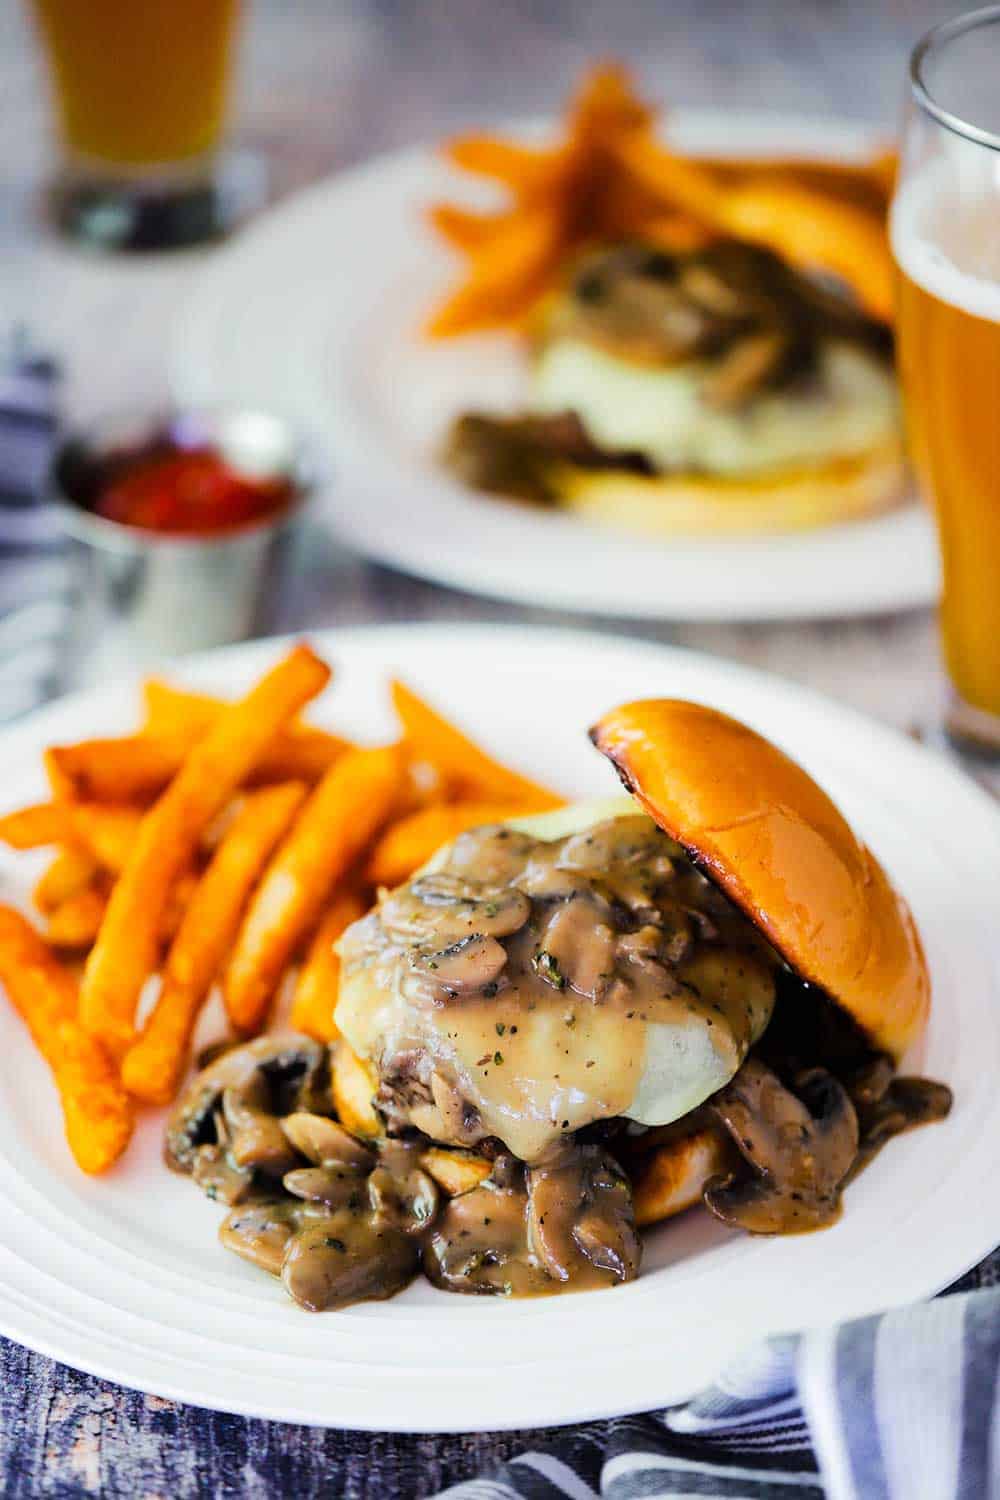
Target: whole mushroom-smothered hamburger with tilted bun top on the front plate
<point x="570" y="1027"/>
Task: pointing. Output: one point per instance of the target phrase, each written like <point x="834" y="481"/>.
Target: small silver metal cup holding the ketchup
<point x="146" y="596"/>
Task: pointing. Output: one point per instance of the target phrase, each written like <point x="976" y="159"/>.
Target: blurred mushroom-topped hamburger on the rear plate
<point x="713" y="389"/>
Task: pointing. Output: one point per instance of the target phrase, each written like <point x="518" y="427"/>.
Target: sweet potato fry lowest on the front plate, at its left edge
<point x="97" y="1109"/>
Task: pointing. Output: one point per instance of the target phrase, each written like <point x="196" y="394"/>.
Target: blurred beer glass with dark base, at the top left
<point x="142" y="91"/>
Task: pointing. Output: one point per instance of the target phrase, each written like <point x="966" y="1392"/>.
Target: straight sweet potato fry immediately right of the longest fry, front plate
<point x="154" y="1066"/>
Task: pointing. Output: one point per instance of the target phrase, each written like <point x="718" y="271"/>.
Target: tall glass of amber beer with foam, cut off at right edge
<point x="947" y="242"/>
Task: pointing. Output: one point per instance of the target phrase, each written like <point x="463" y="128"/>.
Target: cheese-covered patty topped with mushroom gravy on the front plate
<point x="521" y="989"/>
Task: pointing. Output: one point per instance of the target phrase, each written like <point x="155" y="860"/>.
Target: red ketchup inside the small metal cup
<point x="187" y="491"/>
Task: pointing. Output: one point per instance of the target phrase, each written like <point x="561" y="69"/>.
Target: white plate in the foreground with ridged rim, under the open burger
<point x="124" y="1277"/>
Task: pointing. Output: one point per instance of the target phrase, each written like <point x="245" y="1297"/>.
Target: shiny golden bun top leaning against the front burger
<point x="782" y="851"/>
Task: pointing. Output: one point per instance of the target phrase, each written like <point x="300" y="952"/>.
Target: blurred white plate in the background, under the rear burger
<point x="317" y="310"/>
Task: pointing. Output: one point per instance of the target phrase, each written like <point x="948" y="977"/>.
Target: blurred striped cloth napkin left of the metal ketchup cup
<point x="37" y="589"/>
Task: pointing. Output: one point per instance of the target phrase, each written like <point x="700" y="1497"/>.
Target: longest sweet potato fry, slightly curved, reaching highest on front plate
<point x="127" y="947"/>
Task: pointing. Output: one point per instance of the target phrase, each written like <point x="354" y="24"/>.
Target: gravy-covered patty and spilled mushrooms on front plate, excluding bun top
<point x="507" y="997"/>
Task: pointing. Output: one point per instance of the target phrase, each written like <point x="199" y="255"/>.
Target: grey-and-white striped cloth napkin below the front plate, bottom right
<point x="903" y="1406"/>
